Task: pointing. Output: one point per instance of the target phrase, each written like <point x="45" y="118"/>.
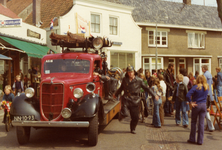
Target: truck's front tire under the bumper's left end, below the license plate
<point x="23" y="134"/>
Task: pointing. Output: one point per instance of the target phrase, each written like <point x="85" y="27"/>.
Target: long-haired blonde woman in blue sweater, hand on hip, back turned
<point x="199" y="94"/>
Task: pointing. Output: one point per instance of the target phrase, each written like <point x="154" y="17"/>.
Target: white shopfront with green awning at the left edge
<point x="24" y="43"/>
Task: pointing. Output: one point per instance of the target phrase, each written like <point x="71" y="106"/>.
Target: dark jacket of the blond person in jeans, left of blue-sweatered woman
<point x="181" y="93"/>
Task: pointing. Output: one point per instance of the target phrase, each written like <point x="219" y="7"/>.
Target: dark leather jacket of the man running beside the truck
<point x="132" y="89"/>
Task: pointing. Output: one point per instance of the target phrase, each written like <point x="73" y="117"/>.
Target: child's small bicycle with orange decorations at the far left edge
<point x="8" y="122"/>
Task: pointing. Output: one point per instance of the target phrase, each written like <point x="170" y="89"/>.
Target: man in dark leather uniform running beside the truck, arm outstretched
<point x="131" y="85"/>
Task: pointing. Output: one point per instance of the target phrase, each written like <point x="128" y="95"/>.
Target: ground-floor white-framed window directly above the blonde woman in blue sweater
<point x="199" y="62"/>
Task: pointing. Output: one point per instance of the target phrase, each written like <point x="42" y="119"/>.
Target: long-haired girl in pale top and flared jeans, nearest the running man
<point x="157" y="89"/>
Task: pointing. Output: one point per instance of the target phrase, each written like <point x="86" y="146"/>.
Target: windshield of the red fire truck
<point x="66" y="65"/>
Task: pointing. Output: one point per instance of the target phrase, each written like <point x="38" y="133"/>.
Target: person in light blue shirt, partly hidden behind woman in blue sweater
<point x="208" y="77"/>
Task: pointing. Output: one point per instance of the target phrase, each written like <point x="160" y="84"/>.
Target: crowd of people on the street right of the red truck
<point x="187" y="94"/>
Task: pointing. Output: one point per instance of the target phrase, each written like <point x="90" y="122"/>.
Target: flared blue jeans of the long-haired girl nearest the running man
<point x="156" y="116"/>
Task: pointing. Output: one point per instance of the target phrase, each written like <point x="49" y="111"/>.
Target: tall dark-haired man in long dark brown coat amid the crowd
<point x="169" y="80"/>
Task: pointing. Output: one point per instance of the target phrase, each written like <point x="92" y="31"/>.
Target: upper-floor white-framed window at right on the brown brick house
<point x="196" y="40"/>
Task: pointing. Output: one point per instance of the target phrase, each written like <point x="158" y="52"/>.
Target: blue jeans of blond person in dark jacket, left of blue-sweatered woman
<point x="181" y="105"/>
